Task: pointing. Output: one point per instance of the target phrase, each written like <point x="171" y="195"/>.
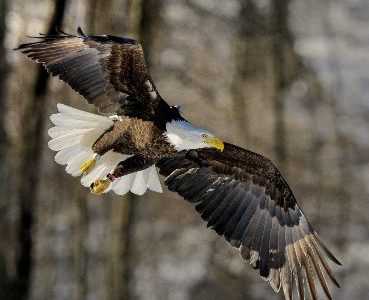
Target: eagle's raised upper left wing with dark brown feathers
<point x="109" y="71"/>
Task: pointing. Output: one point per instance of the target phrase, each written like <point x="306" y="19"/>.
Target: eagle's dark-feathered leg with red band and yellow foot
<point x="130" y="165"/>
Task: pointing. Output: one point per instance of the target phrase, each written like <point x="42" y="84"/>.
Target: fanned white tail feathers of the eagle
<point x="73" y="135"/>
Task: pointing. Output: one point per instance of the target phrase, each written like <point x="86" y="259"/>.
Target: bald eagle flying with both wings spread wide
<point x="240" y="194"/>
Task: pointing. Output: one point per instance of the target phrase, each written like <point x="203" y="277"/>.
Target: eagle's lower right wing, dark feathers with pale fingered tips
<point x="243" y="197"/>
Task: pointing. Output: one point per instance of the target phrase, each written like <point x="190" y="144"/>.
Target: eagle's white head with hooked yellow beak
<point x="185" y="136"/>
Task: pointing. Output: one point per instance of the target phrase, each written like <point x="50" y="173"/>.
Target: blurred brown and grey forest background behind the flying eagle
<point x="285" y="78"/>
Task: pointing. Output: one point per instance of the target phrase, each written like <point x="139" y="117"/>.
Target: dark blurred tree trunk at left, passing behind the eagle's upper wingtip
<point x="33" y="119"/>
